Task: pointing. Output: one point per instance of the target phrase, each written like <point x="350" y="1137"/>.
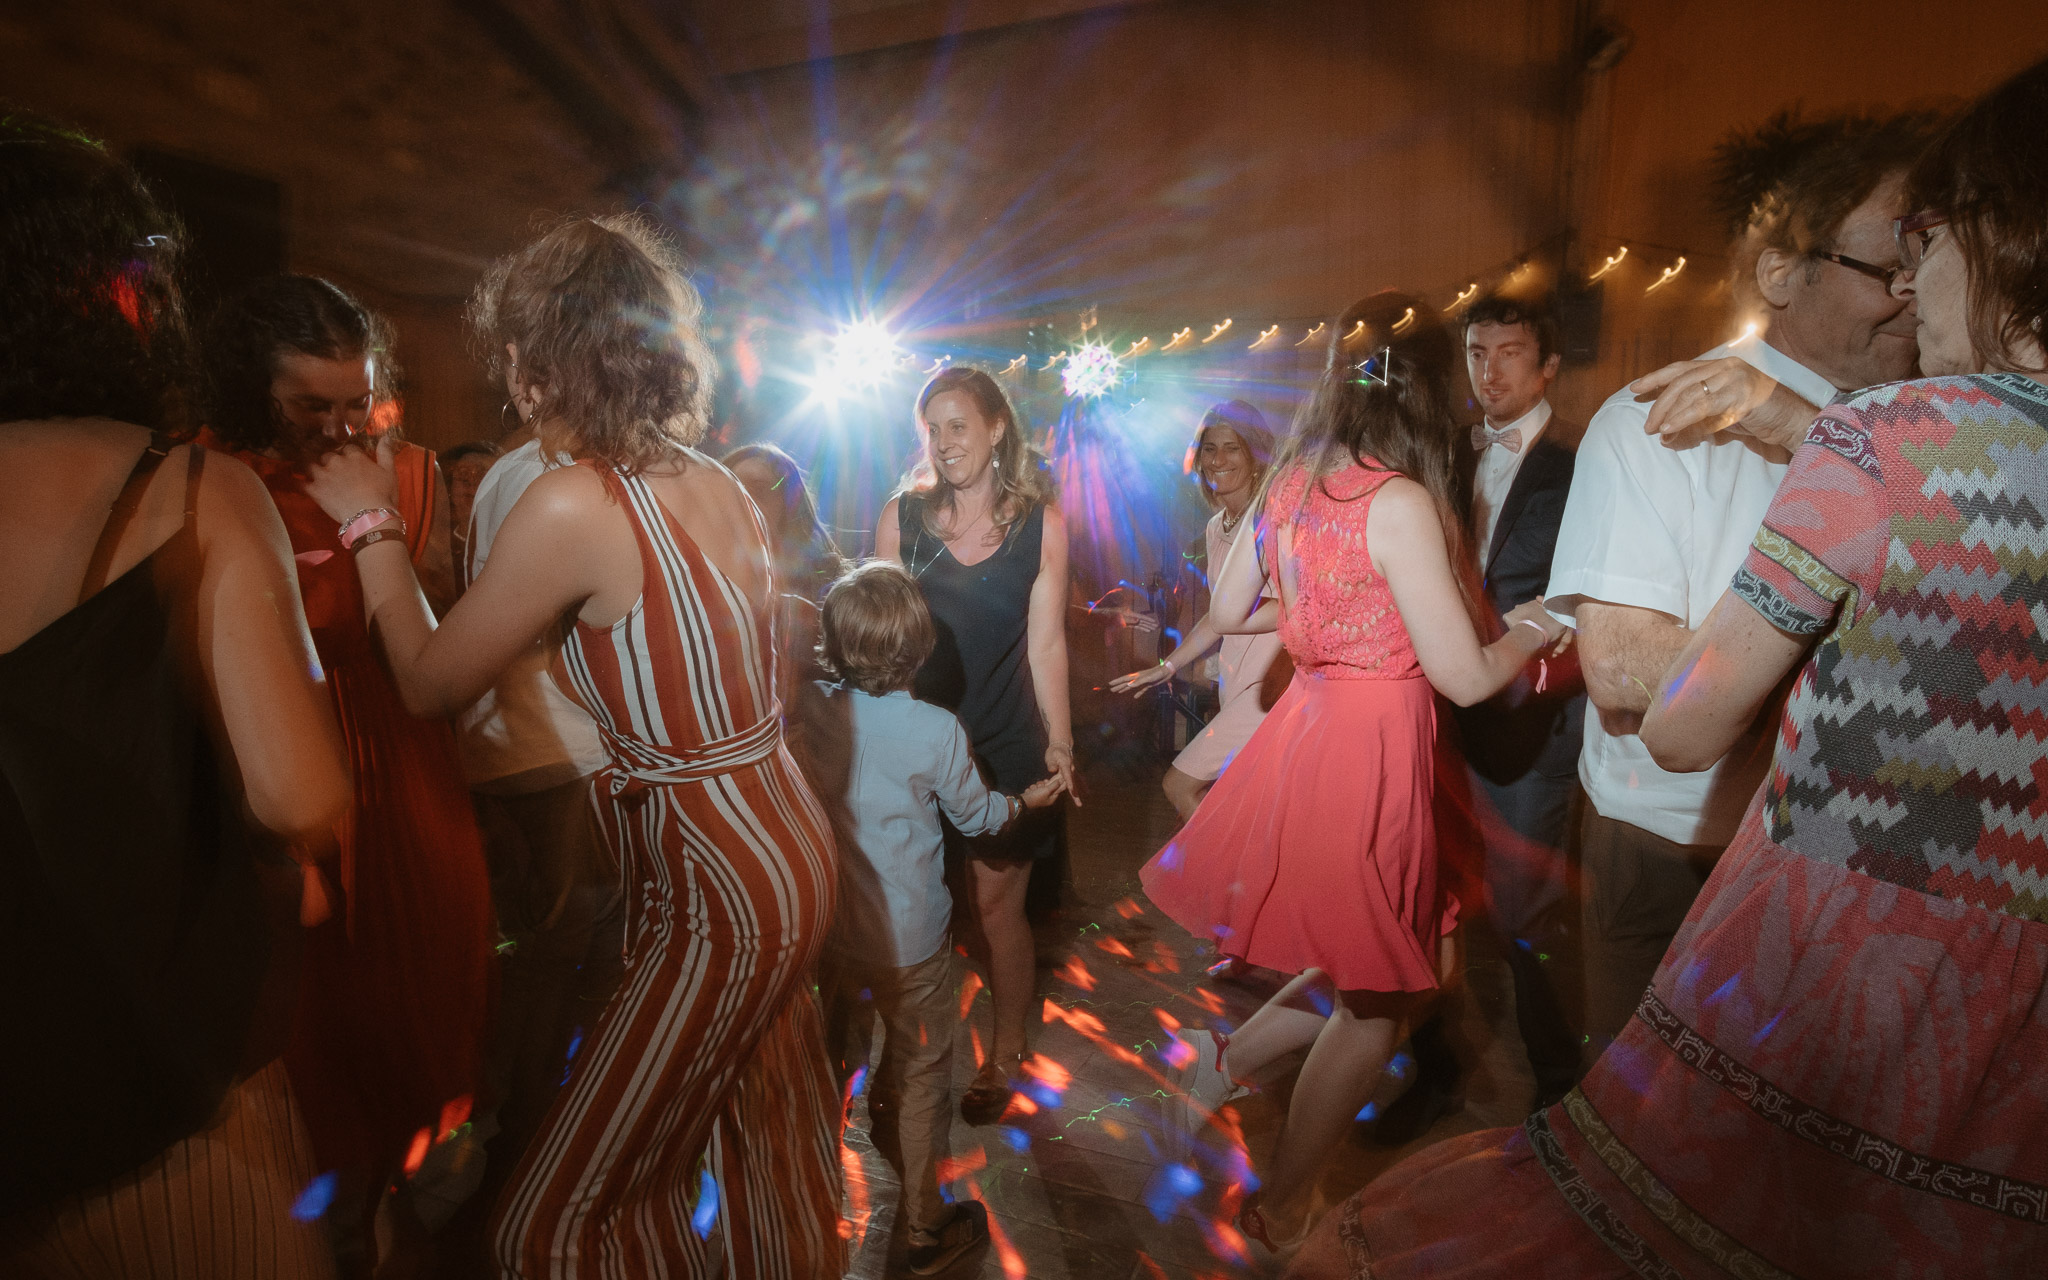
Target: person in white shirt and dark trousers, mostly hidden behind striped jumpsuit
<point x="531" y="755"/>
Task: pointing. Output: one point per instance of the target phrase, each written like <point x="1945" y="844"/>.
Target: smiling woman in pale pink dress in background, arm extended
<point x="1234" y="452"/>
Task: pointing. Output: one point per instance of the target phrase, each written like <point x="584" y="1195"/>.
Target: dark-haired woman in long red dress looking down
<point x="396" y="988"/>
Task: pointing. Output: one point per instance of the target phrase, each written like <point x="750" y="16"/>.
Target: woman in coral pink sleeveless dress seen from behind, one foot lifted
<point x="1318" y="853"/>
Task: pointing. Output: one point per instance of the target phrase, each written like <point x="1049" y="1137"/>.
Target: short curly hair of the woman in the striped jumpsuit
<point x="607" y="325"/>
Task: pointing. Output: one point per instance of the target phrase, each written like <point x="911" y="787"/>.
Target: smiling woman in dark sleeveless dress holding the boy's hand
<point x="978" y="527"/>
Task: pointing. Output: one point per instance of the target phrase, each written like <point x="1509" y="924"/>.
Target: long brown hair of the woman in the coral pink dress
<point x="1390" y="417"/>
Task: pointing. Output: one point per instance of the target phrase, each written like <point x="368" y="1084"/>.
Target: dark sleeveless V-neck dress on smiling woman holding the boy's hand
<point x="980" y="669"/>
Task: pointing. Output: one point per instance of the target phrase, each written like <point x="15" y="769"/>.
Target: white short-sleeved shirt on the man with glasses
<point x="1666" y="529"/>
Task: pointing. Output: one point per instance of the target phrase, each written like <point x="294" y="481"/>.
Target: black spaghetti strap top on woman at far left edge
<point x="136" y="929"/>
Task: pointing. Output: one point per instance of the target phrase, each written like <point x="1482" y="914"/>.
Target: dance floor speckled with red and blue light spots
<point x="1093" y="1185"/>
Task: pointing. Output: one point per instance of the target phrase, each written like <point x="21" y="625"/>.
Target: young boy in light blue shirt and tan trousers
<point x="888" y="765"/>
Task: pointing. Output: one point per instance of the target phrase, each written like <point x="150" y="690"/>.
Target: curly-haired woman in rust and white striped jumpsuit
<point x="699" y="1129"/>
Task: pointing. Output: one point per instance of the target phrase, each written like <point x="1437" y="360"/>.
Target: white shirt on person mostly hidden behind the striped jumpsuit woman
<point x="525" y="734"/>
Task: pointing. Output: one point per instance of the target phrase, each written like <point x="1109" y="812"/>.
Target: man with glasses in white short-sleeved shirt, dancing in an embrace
<point x="1656" y="531"/>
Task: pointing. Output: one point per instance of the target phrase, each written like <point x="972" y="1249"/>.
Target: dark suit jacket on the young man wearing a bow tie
<point x="1521" y="730"/>
